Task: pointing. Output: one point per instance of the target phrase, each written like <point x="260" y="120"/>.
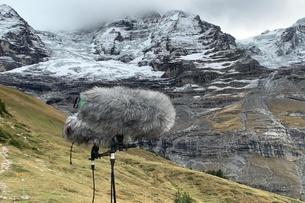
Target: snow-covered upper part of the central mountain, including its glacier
<point x="147" y="46"/>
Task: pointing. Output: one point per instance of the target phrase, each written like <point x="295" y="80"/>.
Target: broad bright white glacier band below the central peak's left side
<point x="92" y="70"/>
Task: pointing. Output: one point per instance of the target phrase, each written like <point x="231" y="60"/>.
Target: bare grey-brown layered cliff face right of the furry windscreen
<point x="256" y="138"/>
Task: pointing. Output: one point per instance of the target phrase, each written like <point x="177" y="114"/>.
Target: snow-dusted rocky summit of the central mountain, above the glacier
<point x="156" y="40"/>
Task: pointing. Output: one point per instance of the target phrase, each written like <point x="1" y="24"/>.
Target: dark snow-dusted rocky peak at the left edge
<point x="19" y="43"/>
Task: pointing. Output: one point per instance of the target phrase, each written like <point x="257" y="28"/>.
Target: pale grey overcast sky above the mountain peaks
<point x="241" y="18"/>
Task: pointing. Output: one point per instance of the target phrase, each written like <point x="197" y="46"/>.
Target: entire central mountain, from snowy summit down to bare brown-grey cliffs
<point x="233" y="113"/>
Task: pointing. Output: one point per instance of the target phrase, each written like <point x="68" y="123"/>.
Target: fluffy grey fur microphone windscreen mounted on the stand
<point x="134" y="113"/>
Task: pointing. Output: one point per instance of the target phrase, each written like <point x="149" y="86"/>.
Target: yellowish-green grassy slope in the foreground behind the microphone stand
<point x="40" y="166"/>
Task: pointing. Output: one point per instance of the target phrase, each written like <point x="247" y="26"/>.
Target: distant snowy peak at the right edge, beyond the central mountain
<point x="281" y="47"/>
